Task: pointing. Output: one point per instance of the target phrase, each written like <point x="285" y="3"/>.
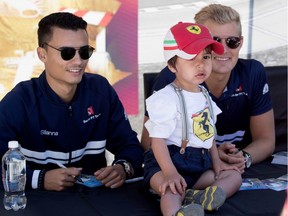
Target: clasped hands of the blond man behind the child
<point x="230" y="155"/>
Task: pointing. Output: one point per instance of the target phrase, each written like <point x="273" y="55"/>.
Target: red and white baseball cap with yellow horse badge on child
<point x="187" y="40"/>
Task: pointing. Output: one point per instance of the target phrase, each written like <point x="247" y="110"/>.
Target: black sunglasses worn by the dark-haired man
<point x="67" y="53"/>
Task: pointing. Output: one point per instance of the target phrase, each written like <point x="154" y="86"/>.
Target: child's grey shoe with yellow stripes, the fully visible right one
<point x="210" y="199"/>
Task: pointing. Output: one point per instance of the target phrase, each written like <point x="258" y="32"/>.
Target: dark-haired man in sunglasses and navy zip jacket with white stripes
<point x="66" y="117"/>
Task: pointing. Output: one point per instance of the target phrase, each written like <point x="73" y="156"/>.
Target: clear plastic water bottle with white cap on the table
<point x="14" y="177"/>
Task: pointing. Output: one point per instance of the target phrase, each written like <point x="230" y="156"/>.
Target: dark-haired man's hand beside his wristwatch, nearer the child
<point x="111" y="176"/>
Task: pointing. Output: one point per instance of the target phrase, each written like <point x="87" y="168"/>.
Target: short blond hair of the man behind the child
<point x="219" y="14"/>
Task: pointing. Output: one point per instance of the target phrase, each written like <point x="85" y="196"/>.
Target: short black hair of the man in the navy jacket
<point x="62" y="20"/>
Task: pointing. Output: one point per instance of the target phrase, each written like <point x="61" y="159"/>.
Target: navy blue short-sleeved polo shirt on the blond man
<point x="246" y="94"/>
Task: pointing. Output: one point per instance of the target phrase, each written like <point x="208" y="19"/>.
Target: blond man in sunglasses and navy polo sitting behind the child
<point x="245" y="128"/>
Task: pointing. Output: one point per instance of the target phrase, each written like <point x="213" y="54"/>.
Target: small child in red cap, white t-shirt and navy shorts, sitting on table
<point x="181" y="124"/>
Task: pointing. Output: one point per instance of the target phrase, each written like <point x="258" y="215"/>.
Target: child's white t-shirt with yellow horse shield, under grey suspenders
<point x="165" y="120"/>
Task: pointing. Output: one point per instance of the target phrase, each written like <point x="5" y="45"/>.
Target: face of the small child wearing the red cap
<point x="191" y="73"/>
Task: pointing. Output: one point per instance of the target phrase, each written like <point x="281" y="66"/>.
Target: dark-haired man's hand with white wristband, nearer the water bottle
<point x="60" y="179"/>
